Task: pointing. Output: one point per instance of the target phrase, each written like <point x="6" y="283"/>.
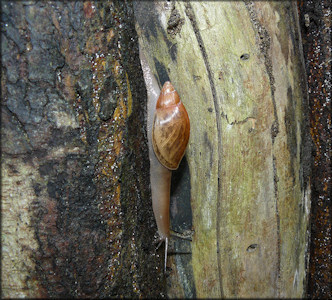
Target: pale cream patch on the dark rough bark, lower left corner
<point x="17" y="237"/>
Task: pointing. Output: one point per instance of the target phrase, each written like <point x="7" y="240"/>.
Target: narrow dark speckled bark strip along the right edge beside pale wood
<point x="316" y="34"/>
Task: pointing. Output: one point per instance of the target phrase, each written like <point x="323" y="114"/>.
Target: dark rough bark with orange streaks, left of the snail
<point x="76" y="209"/>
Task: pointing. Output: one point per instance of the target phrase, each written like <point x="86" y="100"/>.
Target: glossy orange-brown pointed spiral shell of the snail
<point x="171" y="128"/>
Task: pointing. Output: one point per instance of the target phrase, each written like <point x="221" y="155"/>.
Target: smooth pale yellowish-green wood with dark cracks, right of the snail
<point x="238" y="67"/>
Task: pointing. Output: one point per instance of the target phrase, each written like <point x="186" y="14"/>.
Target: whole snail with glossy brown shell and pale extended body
<point x="168" y="129"/>
